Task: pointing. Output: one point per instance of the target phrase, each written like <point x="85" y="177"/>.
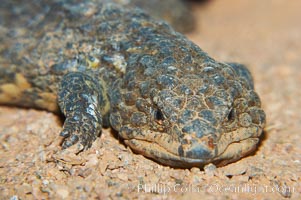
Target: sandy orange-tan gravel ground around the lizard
<point x="266" y="36"/>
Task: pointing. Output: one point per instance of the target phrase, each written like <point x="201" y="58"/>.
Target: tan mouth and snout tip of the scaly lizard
<point x="161" y="148"/>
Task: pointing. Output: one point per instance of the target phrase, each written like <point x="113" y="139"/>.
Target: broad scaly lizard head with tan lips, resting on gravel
<point x="188" y="116"/>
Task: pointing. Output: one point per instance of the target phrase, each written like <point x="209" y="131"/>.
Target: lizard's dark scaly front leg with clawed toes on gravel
<point x="83" y="101"/>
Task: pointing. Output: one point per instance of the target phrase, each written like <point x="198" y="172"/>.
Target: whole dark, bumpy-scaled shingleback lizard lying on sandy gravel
<point x="111" y="65"/>
